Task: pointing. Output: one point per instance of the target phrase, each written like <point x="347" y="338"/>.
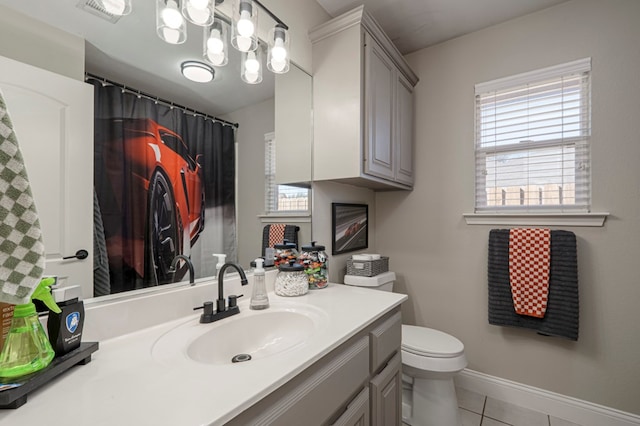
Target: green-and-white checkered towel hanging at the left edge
<point x="21" y="248"/>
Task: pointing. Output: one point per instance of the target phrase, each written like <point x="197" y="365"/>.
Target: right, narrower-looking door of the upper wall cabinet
<point x="404" y="131"/>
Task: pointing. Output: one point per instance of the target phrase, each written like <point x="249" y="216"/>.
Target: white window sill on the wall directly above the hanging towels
<point x="536" y="219"/>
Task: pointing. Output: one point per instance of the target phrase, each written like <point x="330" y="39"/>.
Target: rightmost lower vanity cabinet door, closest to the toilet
<point x="386" y="395"/>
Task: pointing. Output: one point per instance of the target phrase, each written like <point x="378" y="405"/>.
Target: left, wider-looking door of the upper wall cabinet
<point x="379" y="76"/>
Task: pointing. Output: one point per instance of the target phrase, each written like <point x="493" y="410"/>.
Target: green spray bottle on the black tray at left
<point x="27" y="348"/>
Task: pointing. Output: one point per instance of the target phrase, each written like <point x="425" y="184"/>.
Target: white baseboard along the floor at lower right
<point x="564" y="407"/>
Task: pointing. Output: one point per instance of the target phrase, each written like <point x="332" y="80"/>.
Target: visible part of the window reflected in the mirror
<point x="281" y="198"/>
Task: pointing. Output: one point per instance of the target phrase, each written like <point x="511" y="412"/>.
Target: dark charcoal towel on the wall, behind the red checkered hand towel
<point x="563" y="310"/>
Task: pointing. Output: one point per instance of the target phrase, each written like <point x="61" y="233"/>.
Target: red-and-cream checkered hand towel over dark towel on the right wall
<point x="529" y="258"/>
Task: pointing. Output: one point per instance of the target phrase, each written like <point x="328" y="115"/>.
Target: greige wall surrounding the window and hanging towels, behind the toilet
<point x="441" y="261"/>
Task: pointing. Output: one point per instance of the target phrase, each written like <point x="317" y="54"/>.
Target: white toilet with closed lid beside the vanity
<point x="430" y="360"/>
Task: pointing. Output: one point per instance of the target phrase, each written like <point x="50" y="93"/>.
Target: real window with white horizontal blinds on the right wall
<point x="532" y="141"/>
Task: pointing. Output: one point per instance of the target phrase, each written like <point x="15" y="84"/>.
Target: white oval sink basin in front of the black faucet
<point x="259" y="334"/>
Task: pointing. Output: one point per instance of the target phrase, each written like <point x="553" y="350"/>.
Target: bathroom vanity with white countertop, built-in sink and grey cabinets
<point x="331" y="356"/>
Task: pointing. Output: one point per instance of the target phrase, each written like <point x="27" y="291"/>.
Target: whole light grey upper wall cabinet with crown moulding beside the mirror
<point x="363" y="105"/>
